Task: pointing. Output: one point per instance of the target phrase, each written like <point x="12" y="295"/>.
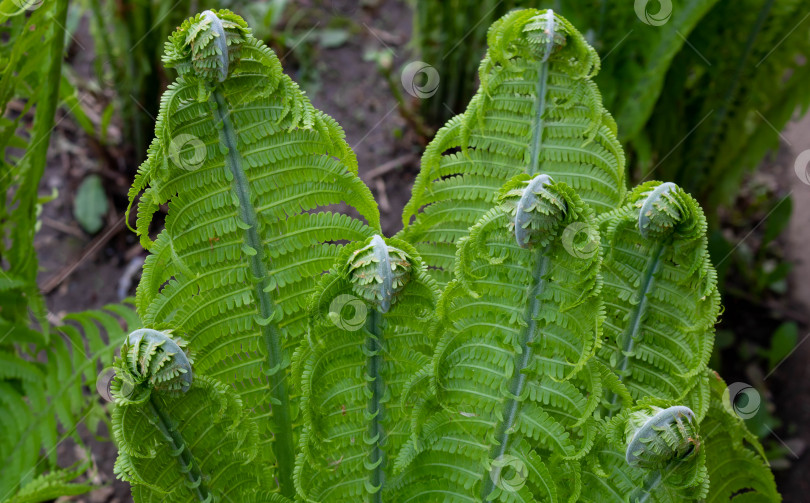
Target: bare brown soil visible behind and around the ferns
<point x="357" y="96"/>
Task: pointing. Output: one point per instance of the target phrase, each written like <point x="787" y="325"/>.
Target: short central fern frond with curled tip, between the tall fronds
<point x="368" y="337"/>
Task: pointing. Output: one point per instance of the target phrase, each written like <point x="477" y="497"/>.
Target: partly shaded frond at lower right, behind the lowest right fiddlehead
<point x="738" y="468"/>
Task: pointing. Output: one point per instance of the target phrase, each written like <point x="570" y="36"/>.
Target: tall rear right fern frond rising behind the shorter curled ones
<point x="537" y="111"/>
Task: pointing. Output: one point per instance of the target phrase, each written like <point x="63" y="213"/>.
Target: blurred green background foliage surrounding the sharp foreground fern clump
<point x="700" y="89"/>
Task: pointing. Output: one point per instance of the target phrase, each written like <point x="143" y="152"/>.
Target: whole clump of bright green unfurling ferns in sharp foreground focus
<point x="564" y="361"/>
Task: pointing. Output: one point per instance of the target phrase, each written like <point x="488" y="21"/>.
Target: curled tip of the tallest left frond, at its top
<point x="207" y="46"/>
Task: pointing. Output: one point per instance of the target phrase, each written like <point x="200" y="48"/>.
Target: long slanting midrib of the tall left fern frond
<point x="276" y="371"/>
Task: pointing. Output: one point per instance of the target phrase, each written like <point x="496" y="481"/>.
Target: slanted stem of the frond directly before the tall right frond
<point x="522" y="362"/>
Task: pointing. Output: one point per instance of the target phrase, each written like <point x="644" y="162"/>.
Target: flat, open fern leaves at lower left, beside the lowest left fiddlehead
<point x="43" y="402"/>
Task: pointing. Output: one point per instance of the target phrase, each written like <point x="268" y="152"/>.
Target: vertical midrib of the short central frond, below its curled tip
<point x="376" y="387"/>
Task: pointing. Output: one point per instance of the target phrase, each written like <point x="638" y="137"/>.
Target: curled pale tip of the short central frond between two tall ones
<point x="378" y="272"/>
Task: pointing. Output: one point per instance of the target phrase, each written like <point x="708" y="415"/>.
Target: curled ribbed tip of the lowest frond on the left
<point x="150" y="359"/>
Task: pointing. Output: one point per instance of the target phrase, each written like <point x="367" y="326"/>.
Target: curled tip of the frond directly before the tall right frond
<point x="536" y="209"/>
